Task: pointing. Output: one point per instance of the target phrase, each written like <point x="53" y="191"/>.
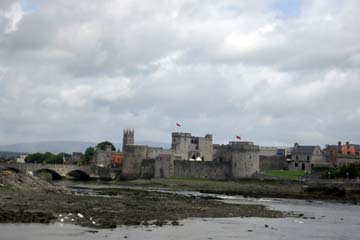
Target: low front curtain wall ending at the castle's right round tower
<point x="194" y="169"/>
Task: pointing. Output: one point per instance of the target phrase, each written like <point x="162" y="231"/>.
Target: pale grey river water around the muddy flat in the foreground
<point x="321" y="220"/>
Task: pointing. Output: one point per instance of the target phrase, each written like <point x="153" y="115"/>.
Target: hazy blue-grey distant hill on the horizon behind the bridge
<point x="64" y="146"/>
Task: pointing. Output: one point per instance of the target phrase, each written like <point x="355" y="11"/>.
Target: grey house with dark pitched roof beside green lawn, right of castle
<point x="306" y="157"/>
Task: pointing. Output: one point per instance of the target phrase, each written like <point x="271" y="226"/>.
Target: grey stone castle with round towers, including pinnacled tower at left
<point x="189" y="156"/>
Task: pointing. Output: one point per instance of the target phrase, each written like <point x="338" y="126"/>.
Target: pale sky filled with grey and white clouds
<point x="274" y="72"/>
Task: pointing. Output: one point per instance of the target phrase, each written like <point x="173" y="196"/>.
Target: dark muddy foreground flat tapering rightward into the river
<point x="125" y="207"/>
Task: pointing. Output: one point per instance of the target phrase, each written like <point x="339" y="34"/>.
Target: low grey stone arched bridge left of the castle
<point x="58" y="171"/>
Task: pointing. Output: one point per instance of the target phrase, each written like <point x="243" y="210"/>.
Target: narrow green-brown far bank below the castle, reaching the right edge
<point x="255" y="188"/>
